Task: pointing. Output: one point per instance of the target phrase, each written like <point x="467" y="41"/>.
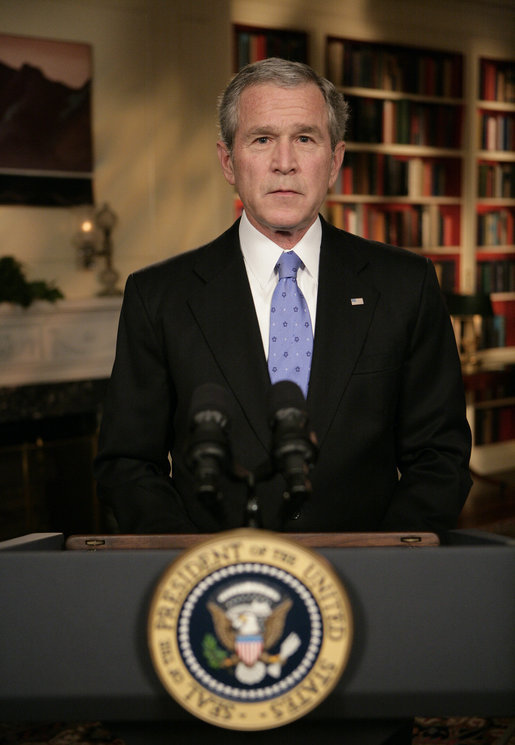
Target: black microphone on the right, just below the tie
<point x="293" y="444"/>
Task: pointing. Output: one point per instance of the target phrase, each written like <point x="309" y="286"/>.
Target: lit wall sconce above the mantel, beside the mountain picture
<point x="94" y="239"/>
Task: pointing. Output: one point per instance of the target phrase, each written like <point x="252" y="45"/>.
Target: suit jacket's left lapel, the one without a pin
<point x="224" y="309"/>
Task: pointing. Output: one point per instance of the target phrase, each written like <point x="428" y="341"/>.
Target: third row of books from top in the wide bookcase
<point x="382" y="174"/>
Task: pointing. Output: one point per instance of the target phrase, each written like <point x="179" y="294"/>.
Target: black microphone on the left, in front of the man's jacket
<point x="208" y="452"/>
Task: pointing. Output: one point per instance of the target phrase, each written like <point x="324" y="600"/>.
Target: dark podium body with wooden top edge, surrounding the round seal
<point x="434" y="627"/>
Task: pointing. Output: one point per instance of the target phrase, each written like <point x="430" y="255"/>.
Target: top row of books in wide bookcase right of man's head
<point x="402" y="69"/>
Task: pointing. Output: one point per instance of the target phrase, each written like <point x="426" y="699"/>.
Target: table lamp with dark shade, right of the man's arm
<point x="468" y="313"/>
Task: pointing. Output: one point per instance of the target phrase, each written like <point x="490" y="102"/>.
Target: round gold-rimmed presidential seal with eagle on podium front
<point x="249" y="630"/>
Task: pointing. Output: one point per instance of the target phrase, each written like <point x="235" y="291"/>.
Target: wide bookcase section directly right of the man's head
<point x="401" y="181"/>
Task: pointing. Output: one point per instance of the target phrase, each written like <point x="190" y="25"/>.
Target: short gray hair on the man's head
<point x="286" y="74"/>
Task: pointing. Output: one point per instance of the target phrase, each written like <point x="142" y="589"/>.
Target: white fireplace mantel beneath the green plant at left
<point x="55" y="342"/>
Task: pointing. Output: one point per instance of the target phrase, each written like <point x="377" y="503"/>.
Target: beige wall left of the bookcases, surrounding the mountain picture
<point x="158" y="67"/>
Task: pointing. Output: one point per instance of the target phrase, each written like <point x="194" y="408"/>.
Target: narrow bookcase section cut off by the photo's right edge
<point x="492" y="409"/>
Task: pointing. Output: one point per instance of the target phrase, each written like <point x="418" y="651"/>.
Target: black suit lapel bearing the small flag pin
<point x="345" y="307"/>
